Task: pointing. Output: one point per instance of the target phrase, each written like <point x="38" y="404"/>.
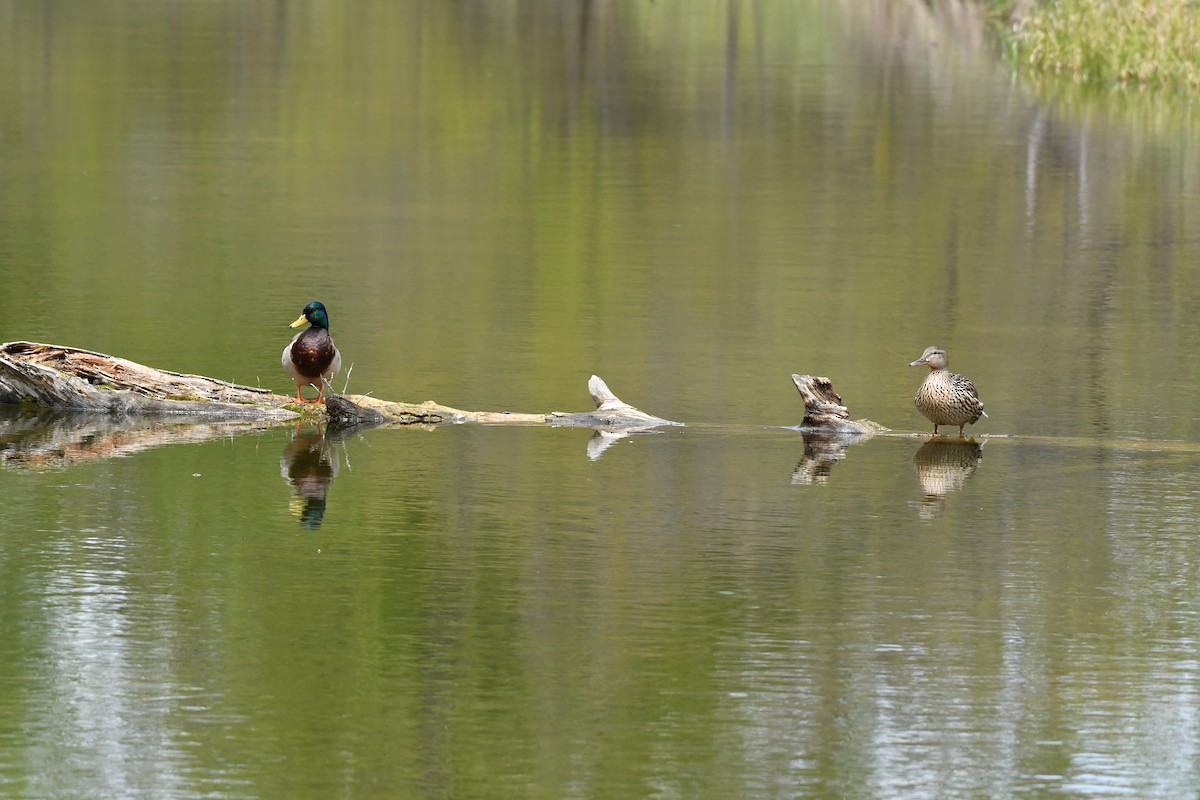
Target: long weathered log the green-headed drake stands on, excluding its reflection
<point x="63" y="378"/>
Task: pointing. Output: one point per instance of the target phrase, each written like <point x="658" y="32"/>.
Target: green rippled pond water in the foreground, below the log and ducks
<point x="490" y="612"/>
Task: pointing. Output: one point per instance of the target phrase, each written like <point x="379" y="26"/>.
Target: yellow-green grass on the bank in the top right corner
<point x="1106" y="43"/>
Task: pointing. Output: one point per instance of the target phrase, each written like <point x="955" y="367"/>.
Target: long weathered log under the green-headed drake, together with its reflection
<point x="99" y="406"/>
